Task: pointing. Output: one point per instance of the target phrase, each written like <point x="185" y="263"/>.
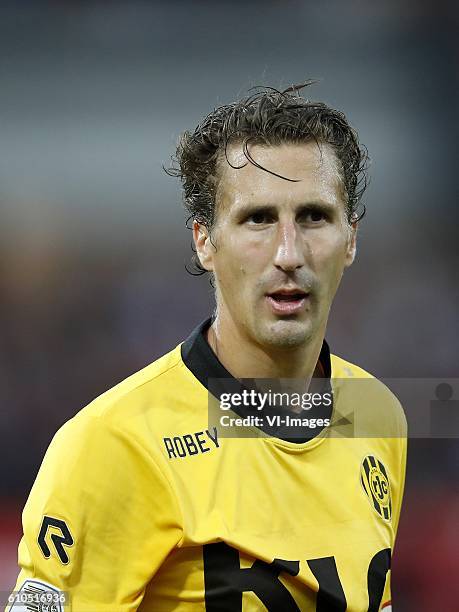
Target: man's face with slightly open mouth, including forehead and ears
<point x="278" y="248"/>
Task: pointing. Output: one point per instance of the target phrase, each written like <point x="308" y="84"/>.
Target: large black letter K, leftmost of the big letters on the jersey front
<point x="225" y="581"/>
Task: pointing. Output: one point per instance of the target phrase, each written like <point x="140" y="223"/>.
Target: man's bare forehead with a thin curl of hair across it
<point x="313" y="166"/>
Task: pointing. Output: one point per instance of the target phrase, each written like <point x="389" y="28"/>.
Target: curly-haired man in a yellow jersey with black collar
<point x="141" y="502"/>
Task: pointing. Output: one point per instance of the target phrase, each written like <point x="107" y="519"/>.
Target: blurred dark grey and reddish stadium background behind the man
<point x="93" y="245"/>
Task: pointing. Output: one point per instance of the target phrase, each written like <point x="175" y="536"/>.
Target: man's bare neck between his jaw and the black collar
<point x="245" y="359"/>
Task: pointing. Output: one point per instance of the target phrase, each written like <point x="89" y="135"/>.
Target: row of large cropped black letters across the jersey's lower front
<point x="225" y="581"/>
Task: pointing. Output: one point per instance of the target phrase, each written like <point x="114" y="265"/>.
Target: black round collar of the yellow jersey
<point x="200" y="359"/>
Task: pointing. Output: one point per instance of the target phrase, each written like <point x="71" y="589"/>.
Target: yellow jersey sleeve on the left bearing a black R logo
<point x="100" y="519"/>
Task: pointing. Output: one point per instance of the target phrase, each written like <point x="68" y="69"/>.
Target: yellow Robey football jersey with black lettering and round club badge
<point x="140" y="504"/>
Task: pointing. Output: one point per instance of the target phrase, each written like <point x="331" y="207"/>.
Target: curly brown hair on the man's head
<point x="268" y="117"/>
